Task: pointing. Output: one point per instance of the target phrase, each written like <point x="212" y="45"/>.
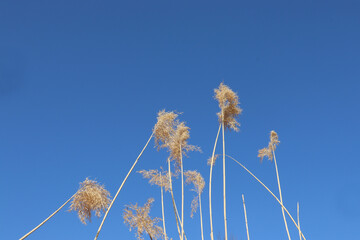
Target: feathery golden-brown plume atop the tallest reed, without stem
<point x="228" y="103"/>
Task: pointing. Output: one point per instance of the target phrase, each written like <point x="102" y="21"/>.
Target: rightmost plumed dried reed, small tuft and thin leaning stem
<point x="269" y="152"/>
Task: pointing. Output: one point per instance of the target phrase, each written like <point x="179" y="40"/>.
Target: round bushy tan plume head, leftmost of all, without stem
<point x="91" y="196"/>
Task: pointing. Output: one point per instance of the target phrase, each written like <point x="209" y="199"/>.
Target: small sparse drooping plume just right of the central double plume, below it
<point x="195" y="178"/>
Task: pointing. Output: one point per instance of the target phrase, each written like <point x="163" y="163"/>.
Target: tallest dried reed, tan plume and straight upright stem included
<point x="228" y="103"/>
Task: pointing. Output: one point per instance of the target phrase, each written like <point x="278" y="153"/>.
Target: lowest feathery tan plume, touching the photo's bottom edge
<point x="138" y="217"/>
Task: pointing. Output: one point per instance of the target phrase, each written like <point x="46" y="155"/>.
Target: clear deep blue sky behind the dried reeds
<point x="81" y="83"/>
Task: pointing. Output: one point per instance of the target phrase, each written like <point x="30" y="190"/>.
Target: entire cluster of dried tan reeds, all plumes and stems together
<point x="173" y="135"/>
